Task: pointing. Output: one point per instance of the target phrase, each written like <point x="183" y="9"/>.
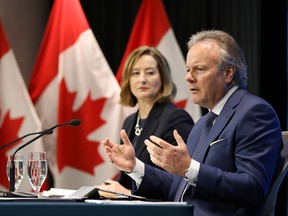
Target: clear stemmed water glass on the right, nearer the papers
<point x="37" y="170"/>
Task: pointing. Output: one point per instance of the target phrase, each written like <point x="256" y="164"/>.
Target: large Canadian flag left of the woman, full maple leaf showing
<point x="72" y="80"/>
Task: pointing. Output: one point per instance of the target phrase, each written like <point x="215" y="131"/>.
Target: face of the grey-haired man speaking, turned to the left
<point x="205" y="81"/>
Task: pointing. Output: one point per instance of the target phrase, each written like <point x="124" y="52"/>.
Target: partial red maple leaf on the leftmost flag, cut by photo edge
<point x="8" y="132"/>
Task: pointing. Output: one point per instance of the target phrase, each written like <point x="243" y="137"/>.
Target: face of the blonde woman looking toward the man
<point x="145" y="80"/>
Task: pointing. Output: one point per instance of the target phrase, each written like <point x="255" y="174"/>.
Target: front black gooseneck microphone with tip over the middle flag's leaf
<point x="74" y="122"/>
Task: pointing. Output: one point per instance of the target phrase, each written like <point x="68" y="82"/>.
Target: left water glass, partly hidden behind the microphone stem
<point x="19" y="169"/>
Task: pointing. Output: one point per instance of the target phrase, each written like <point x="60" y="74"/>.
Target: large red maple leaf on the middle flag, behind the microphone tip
<point x="73" y="147"/>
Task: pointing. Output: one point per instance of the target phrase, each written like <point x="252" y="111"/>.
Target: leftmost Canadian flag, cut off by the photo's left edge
<point x="18" y="116"/>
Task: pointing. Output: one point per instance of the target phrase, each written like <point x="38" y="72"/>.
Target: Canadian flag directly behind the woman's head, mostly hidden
<point x="152" y="28"/>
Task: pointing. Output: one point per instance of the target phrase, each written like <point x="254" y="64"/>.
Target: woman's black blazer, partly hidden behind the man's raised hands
<point x="161" y="121"/>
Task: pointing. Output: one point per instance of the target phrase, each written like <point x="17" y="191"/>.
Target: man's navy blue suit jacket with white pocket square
<point x="237" y="162"/>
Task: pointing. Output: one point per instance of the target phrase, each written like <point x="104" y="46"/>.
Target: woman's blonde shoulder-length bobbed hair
<point x="168" y="89"/>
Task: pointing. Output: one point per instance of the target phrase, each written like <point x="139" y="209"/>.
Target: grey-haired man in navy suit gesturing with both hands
<point x="229" y="162"/>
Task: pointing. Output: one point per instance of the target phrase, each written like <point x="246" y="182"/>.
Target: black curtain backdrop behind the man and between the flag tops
<point x="258" y="26"/>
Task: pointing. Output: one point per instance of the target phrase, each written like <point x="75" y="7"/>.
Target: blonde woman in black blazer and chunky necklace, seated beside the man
<point x="147" y="83"/>
